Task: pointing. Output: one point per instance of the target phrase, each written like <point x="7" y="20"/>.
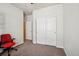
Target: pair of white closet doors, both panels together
<point x="46" y="30"/>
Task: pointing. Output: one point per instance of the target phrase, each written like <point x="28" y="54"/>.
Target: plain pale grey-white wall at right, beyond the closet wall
<point x="71" y="29"/>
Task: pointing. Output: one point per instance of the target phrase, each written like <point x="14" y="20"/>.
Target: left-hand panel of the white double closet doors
<point x="41" y="38"/>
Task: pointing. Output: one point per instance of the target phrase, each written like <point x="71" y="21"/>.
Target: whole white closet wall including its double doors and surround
<point x="48" y="26"/>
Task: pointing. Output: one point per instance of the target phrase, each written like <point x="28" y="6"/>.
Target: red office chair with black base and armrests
<point x="7" y="43"/>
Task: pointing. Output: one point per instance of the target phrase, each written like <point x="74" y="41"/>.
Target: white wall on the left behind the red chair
<point x="13" y="21"/>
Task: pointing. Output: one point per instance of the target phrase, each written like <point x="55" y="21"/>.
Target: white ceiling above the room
<point x="28" y="7"/>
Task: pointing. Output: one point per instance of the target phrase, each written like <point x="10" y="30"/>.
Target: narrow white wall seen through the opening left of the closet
<point x="29" y="29"/>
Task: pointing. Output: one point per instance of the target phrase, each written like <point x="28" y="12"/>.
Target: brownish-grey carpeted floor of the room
<point x="29" y="49"/>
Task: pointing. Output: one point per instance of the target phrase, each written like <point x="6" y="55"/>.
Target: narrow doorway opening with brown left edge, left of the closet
<point x="28" y="28"/>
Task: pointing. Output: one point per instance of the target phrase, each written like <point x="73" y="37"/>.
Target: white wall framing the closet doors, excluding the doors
<point x="55" y="11"/>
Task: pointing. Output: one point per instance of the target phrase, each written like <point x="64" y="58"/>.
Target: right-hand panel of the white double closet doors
<point x="51" y="31"/>
